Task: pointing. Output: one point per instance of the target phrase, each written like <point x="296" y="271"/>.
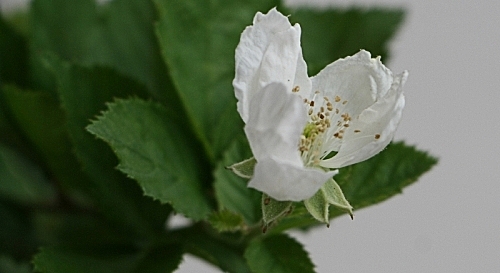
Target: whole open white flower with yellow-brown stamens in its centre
<point x="299" y="128"/>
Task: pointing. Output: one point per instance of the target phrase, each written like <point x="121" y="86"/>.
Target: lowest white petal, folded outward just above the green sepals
<point x="286" y="182"/>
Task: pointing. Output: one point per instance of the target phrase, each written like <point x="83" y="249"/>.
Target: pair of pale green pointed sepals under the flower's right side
<point x="329" y="194"/>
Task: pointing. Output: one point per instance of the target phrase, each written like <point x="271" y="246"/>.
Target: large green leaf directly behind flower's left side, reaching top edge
<point x="198" y="39"/>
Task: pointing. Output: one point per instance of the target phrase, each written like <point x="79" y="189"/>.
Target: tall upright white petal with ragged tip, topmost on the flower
<point x="269" y="51"/>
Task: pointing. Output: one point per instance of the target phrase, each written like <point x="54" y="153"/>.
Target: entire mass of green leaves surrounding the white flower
<point x="153" y="80"/>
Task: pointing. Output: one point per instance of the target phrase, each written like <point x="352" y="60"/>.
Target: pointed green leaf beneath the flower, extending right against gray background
<point x="372" y="181"/>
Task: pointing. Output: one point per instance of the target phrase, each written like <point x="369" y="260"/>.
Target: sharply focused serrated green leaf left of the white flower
<point x="154" y="150"/>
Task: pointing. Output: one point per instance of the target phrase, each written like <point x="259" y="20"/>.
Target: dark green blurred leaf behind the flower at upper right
<point x="328" y="35"/>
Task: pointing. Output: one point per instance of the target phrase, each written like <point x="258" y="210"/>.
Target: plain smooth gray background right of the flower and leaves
<point x="448" y="221"/>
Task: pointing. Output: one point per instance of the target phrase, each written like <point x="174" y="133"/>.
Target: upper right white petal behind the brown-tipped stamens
<point x="357" y="80"/>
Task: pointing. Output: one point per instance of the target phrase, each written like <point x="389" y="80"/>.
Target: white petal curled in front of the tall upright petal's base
<point x="277" y="118"/>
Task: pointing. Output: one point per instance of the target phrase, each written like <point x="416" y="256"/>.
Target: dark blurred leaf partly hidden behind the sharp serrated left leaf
<point x="83" y="93"/>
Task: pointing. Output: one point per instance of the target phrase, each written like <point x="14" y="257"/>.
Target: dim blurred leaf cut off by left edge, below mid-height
<point x="22" y="181"/>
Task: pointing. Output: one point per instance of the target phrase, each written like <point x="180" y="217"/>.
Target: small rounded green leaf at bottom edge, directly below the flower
<point x="278" y="254"/>
